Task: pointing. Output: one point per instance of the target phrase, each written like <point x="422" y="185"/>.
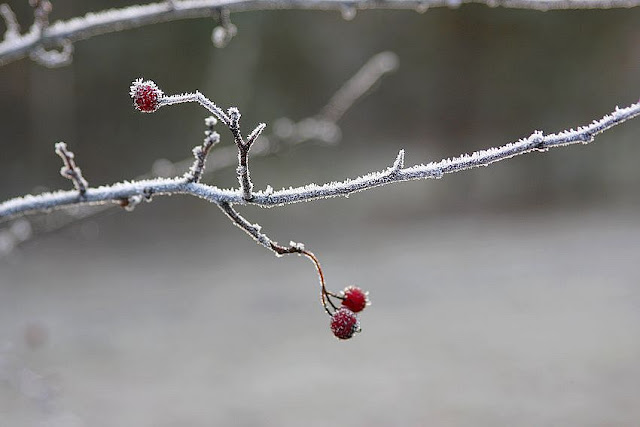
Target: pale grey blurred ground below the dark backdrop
<point x="505" y="320"/>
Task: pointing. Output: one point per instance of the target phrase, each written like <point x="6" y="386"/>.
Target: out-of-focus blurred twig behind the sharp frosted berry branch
<point x="286" y="133"/>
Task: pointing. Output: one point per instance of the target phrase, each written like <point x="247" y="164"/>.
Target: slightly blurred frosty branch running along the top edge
<point x="65" y="32"/>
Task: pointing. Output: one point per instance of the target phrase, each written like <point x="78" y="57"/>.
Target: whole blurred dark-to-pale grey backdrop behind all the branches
<point x="501" y="296"/>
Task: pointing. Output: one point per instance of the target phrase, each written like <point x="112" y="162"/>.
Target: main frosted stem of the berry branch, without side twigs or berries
<point x="163" y="186"/>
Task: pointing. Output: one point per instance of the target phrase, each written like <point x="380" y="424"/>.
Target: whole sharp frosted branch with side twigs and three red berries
<point x="147" y="96"/>
